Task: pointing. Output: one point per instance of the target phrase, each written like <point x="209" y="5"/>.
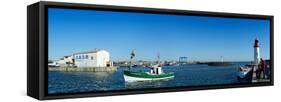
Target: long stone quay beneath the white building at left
<point x="86" y="69"/>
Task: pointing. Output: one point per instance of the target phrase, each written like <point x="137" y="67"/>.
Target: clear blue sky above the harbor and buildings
<point x="196" y="37"/>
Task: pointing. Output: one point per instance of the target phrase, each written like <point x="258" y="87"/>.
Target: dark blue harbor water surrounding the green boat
<point x="60" y="82"/>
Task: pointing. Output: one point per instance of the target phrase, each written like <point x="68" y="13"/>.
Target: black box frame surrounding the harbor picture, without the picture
<point x="37" y="48"/>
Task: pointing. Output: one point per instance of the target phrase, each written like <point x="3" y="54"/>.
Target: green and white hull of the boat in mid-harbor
<point x="142" y="76"/>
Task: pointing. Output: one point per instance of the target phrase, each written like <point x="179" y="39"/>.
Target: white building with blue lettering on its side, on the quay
<point x="94" y="58"/>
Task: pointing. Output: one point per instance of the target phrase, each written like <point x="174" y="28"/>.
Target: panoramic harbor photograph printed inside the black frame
<point x="99" y="51"/>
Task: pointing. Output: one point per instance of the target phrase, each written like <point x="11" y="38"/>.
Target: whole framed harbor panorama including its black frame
<point x="86" y="50"/>
